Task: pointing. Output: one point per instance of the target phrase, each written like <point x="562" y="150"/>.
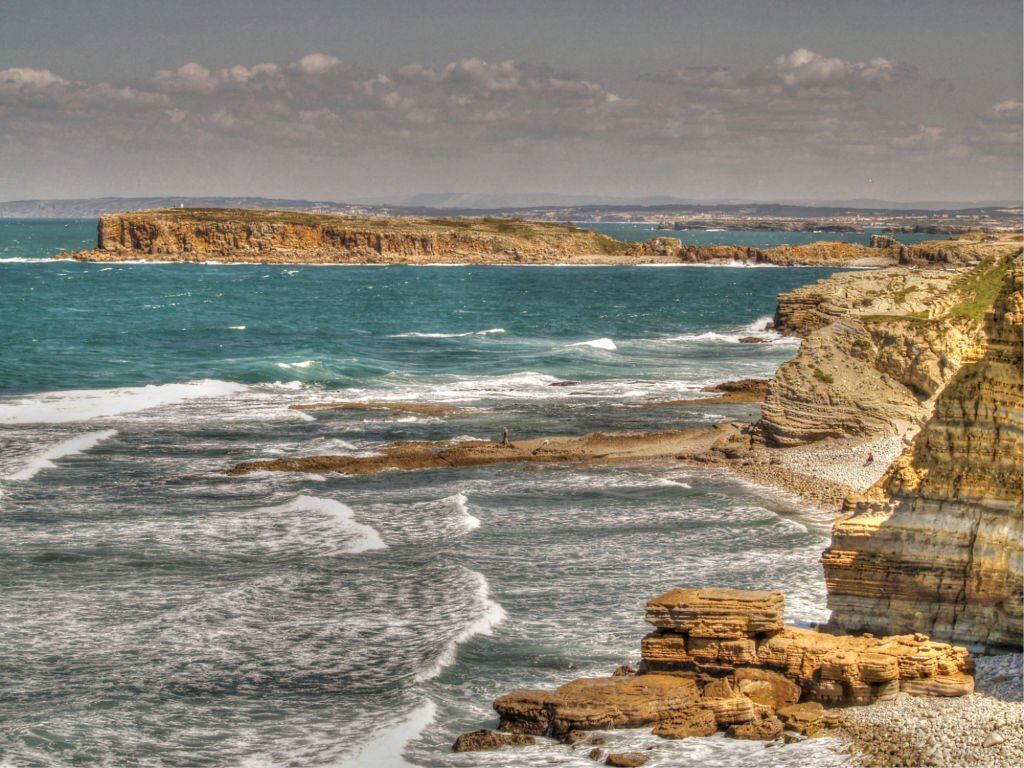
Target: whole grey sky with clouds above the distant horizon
<point x="715" y="100"/>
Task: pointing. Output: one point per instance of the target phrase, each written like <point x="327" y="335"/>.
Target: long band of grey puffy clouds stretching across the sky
<point x="323" y="110"/>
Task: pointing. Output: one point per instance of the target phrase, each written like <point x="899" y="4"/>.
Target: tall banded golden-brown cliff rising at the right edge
<point x="936" y="546"/>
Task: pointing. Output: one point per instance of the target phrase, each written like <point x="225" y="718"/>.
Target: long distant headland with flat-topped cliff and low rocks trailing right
<point x="247" y="236"/>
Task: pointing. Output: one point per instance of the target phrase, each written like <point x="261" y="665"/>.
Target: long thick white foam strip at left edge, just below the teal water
<point x="83" y="405"/>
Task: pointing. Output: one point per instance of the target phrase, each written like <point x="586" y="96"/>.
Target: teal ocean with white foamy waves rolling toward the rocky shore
<point x="157" y="613"/>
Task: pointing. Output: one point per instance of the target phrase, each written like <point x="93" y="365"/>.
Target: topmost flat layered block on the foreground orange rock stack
<point x="718" y="613"/>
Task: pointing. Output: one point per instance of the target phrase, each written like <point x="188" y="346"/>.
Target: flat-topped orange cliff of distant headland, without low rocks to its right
<point x="287" y="237"/>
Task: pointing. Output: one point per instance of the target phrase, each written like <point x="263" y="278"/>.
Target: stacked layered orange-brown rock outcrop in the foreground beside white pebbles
<point x="722" y="660"/>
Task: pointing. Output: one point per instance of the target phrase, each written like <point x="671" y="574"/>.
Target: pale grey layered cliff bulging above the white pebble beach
<point x="877" y="348"/>
